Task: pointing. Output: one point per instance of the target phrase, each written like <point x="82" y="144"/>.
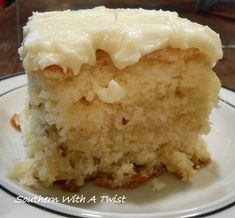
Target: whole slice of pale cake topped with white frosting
<point x="115" y="96"/>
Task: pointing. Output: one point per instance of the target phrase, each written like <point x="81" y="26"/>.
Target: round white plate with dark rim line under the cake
<point x="210" y="191"/>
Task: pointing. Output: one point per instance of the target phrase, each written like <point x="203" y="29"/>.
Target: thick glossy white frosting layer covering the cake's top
<point x="71" y="38"/>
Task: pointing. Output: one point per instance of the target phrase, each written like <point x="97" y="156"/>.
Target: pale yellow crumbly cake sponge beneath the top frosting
<point x="73" y="135"/>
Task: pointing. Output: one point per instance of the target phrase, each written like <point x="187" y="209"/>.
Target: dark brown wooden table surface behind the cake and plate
<point x="11" y="36"/>
